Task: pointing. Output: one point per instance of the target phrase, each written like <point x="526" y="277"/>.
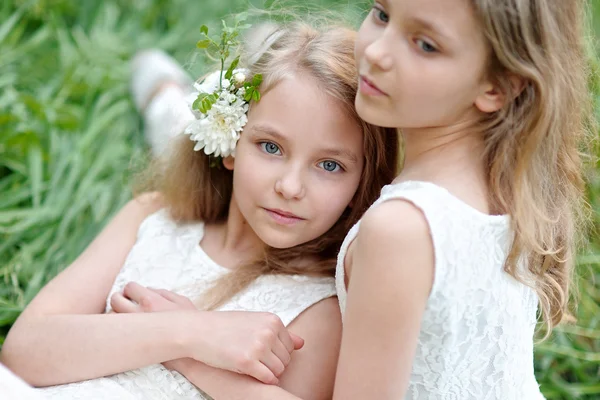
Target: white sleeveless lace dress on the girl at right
<point x="476" y="338"/>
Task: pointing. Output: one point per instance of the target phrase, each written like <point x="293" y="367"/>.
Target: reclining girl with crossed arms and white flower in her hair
<point x="246" y="227"/>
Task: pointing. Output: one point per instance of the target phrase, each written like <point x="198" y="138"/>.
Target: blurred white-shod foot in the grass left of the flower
<point x="159" y="87"/>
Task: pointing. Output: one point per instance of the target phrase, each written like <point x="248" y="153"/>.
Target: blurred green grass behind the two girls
<point x="69" y="133"/>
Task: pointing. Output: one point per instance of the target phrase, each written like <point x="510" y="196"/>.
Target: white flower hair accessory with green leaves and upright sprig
<point x="220" y="103"/>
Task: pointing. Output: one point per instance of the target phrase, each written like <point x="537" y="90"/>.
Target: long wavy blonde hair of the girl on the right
<point x="534" y="142"/>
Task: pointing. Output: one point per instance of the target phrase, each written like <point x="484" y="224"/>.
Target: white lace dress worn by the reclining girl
<point x="167" y="255"/>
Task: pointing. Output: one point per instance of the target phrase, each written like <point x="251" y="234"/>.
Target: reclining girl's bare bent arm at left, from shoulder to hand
<point x="63" y="335"/>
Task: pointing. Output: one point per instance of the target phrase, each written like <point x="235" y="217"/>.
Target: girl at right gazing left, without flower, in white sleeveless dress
<point x="441" y="283"/>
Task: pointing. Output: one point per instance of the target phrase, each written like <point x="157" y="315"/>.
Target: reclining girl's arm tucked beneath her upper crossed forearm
<point x="309" y="375"/>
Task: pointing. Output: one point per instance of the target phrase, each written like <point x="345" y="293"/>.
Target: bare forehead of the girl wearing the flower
<point x="300" y="109"/>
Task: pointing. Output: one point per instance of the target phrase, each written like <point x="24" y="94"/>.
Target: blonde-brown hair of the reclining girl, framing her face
<point x="193" y="191"/>
